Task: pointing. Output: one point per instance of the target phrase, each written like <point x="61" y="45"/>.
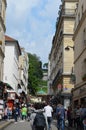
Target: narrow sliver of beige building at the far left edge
<point x="3" y="5"/>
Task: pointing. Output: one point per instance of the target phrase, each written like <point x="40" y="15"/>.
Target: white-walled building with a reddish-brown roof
<point x="11" y="66"/>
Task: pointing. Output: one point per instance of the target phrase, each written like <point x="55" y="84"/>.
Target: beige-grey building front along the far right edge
<point x="79" y="91"/>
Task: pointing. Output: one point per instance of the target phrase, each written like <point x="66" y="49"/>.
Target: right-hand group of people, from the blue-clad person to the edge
<point x="74" y="118"/>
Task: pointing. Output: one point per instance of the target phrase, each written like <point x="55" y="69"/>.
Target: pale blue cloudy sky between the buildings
<point x="32" y="23"/>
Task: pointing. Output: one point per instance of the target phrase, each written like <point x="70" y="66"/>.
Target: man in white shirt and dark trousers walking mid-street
<point x="48" y="112"/>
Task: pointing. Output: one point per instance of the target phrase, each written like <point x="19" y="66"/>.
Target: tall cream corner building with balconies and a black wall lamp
<point x="61" y="61"/>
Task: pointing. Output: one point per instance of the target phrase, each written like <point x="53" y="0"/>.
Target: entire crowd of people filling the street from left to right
<point x="41" y="115"/>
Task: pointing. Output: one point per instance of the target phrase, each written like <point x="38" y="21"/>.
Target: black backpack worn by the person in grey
<point x="40" y="120"/>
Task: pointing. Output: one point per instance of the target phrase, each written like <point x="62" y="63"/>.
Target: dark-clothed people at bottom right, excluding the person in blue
<point x="77" y="117"/>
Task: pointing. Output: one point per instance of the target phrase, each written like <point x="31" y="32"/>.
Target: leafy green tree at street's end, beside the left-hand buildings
<point x="35" y="73"/>
